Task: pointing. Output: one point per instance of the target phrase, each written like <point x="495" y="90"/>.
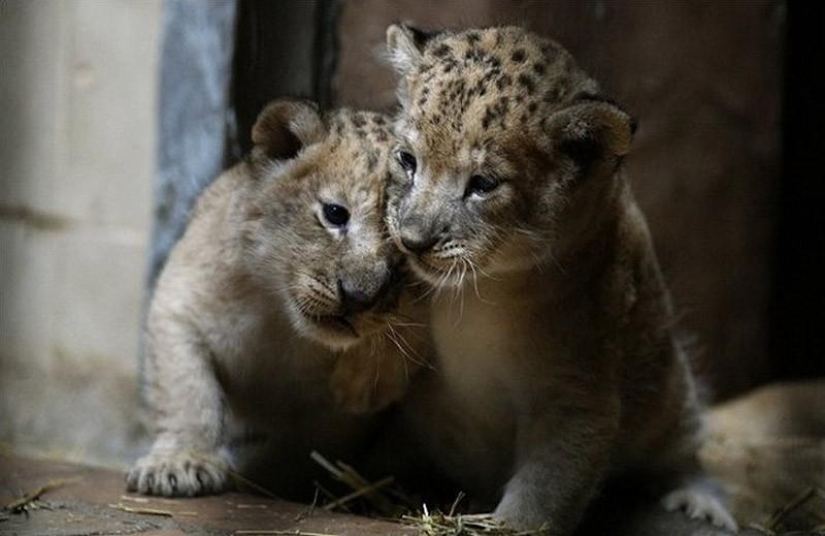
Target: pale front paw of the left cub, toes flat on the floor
<point x="178" y="474"/>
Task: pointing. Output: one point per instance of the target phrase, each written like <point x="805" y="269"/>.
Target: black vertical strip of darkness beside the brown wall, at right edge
<point x="795" y="323"/>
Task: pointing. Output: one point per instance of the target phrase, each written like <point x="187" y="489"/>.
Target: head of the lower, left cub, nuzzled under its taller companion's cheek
<point x="314" y="228"/>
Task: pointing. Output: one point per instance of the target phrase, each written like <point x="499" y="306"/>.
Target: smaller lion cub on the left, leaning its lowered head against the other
<point x="279" y="319"/>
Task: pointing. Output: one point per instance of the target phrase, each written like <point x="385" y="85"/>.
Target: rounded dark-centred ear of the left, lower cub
<point x="285" y="127"/>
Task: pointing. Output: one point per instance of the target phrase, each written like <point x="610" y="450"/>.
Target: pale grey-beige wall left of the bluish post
<point x="77" y="150"/>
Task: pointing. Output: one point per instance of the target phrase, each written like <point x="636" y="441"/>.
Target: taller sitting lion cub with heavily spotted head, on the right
<point x="557" y="364"/>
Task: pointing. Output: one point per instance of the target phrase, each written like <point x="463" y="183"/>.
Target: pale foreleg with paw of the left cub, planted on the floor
<point x="185" y="459"/>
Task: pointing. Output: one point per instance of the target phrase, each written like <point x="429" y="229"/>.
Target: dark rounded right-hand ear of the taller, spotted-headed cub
<point x="591" y="129"/>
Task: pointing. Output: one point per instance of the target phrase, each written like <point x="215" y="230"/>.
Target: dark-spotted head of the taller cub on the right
<point x="503" y="144"/>
